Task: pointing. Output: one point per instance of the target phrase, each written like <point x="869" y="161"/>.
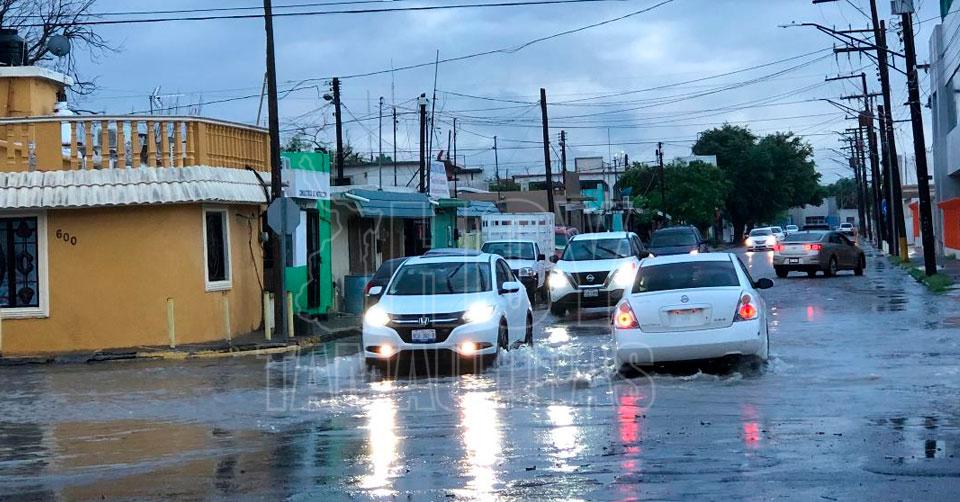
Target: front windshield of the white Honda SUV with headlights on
<point x="442" y="278"/>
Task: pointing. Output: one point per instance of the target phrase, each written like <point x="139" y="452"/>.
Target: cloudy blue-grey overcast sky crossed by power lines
<point x="598" y="80"/>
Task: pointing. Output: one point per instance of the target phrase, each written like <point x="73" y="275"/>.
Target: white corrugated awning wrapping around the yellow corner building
<point x="128" y="187"/>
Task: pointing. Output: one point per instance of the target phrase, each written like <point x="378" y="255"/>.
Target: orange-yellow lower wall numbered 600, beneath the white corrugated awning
<point x="110" y="290"/>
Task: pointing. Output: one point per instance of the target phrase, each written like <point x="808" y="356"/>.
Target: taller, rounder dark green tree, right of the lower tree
<point x="767" y="175"/>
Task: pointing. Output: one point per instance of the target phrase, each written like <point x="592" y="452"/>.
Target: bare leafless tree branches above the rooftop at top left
<point x="37" y="21"/>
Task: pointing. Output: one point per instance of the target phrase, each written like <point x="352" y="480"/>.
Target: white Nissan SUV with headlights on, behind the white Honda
<point x="594" y="270"/>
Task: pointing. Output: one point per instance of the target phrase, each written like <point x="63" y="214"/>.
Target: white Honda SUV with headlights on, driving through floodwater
<point x="464" y="307"/>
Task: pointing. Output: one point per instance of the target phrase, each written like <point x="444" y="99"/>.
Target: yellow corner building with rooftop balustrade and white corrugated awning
<point x="124" y="231"/>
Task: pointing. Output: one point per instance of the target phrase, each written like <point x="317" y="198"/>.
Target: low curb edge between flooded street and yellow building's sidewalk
<point x="253" y="350"/>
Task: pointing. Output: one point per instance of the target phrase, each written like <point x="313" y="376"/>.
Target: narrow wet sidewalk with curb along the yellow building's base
<point x="309" y="334"/>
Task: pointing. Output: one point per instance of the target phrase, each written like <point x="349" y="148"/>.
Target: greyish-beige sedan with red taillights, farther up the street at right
<point x="814" y="251"/>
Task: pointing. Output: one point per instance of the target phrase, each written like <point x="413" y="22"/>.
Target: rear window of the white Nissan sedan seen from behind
<point x="687" y="275"/>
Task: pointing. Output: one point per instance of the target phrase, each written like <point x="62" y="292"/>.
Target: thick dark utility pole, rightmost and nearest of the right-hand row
<point x="919" y="146"/>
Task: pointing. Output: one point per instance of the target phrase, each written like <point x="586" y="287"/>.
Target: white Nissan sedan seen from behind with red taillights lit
<point x="691" y="307"/>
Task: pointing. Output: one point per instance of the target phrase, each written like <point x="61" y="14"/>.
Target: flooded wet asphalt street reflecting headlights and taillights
<point x="861" y="400"/>
